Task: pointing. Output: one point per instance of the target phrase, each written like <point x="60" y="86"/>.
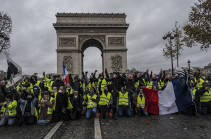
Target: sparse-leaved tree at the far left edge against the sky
<point x="5" y="31"/>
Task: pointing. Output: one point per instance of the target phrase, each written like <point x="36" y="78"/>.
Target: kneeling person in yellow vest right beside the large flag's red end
<point x="139" y="102"/>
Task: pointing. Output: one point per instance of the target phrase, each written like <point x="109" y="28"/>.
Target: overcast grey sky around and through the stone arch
<point x="33" y="37"/>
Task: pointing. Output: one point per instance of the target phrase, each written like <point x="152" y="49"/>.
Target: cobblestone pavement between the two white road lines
<point x="78" y="129"/>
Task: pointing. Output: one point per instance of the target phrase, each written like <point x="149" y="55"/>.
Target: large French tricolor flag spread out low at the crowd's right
<point x="174" y="98"/>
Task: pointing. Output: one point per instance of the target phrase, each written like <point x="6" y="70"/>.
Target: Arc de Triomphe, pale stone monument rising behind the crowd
<point x="78" y="31"/>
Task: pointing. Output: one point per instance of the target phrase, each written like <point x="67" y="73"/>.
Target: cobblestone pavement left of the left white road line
<point x="25" y="131"/>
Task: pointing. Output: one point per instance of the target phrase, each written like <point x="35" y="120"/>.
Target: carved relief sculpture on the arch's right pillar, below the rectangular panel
<point x="116" y="63"/>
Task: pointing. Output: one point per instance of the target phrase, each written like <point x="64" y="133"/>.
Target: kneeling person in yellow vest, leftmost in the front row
<point x="9" y="111"/>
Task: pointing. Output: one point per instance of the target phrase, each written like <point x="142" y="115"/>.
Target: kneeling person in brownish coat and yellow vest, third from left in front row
<point x="46" y="109"/>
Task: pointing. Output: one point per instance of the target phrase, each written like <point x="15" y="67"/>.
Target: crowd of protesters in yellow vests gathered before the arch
<point x="50" y="99"/>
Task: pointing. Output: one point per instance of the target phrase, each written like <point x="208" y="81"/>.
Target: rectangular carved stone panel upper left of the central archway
<point x="67" y="42"/>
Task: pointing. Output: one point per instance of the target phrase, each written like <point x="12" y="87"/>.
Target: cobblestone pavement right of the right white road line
<point x="159" y="127"/>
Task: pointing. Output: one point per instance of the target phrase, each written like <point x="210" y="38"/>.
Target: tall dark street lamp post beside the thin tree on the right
<point x="170" y="36"/>
